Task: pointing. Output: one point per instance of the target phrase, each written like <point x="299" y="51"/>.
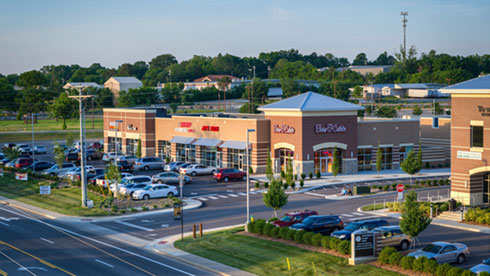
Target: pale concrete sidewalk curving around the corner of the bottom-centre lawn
<point x="166" y="247"/>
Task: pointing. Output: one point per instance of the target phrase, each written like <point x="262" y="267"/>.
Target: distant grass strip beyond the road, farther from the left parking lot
<point x="51" y="124"/>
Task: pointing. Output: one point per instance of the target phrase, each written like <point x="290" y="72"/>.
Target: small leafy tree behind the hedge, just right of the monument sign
<point x="414" y="220"/>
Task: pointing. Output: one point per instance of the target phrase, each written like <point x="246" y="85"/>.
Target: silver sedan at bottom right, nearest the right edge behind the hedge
<point x="443" y="252"/>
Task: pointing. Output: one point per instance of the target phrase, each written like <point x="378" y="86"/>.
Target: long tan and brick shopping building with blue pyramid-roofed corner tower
<point x="307" y="128"/>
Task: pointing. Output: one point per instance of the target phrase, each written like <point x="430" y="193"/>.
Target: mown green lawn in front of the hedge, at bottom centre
<point x="263" y="257"/>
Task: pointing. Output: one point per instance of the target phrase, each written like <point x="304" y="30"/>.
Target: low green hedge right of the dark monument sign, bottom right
<point x="390" y="255"/>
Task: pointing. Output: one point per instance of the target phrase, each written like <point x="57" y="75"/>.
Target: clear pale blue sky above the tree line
<point x="35" y="33"/>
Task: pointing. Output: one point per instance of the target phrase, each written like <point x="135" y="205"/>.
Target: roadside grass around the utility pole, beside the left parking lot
<point x="64" y="201"/>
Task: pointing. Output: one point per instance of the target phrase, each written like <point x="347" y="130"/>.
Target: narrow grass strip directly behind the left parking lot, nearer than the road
<point x="18" y="137"/>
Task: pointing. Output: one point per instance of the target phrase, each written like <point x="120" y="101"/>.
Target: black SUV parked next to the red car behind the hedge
<point x="320" y="224"/>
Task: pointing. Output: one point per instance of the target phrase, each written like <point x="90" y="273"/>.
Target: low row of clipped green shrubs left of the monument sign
<point x="260" y="226"/>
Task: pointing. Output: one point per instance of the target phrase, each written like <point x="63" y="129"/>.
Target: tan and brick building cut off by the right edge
<point x="470" y="140"/>
